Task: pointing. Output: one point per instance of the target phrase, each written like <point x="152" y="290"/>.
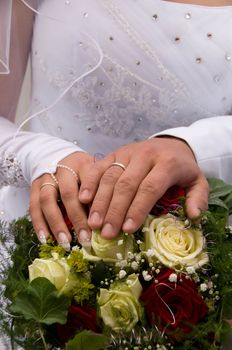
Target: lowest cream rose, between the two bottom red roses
<point x="119" y="306"/>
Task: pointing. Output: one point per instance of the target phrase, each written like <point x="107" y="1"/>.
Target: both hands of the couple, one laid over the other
<point x="117" y="198"/>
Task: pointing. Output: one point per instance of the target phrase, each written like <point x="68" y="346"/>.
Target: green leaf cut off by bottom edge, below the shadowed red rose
<point x="87" y="340"/>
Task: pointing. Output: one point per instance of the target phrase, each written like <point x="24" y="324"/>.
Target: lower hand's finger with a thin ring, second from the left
<point x="53" y="216"/>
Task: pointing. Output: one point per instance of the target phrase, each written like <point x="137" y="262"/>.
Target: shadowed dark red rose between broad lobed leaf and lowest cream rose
<point x="79" y="318"/>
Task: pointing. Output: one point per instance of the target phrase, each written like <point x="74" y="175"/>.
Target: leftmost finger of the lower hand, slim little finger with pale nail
<point x="38" y="220"/>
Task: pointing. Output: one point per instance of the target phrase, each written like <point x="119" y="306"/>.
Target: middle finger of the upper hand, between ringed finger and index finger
<point x="123" y="195"/>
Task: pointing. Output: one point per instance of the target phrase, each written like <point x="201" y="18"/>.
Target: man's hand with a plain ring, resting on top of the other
<point x="122" y="198"/>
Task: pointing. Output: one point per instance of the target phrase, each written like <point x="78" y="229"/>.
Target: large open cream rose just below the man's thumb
<point x="169" y="241"/>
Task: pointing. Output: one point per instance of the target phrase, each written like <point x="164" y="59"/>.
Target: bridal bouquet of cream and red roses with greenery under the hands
<point x="168" y="286"/>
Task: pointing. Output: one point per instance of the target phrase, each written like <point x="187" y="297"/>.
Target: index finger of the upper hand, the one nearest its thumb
<point x="150" y="190"/>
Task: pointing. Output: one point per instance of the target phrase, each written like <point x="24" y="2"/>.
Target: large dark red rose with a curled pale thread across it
<point x="171" y="305"/>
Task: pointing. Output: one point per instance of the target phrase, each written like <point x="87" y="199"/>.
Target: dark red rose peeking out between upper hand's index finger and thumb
<point x="169" y="201"/>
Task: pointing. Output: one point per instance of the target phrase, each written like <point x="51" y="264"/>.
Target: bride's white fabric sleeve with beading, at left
<point x="28" y="155"/>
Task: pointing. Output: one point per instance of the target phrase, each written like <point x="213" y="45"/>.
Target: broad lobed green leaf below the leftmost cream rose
<point x="40" y="302"/>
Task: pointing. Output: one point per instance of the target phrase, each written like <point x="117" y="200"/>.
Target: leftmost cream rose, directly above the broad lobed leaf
<point x="56" y="270"/>
